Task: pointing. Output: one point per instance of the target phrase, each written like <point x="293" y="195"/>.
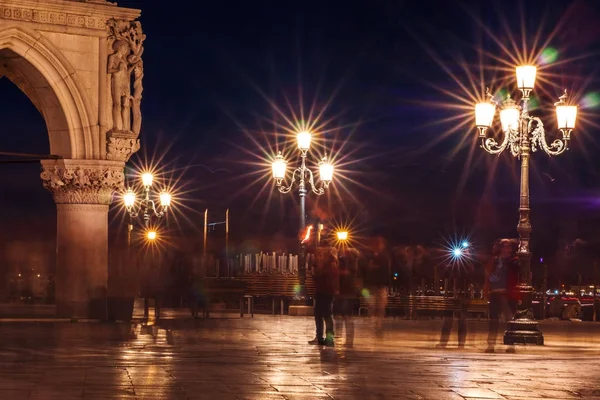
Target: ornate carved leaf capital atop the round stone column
<point x="83" y="181"/>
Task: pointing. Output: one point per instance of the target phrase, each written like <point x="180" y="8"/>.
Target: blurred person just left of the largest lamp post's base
<point x="500" y="287"/>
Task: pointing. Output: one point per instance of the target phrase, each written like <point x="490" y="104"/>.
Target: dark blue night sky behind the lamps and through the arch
<point x="388" y="74"/>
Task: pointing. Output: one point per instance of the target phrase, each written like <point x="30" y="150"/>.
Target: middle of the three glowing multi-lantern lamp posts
<point x="304" y="178"/>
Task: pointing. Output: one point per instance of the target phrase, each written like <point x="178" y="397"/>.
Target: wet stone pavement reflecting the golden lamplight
<point x="267" y="358"/>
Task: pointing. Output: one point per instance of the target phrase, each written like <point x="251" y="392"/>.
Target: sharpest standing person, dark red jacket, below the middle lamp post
<point x="327" y="284"/>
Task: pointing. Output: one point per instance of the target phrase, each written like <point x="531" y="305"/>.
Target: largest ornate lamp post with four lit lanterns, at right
<point x="524" y="134"/>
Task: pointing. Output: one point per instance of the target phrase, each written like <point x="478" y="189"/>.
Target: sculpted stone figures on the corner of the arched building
<point x="126" y="46"/>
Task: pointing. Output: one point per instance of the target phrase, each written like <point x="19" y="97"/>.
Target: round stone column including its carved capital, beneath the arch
<point x="82" y="191"/>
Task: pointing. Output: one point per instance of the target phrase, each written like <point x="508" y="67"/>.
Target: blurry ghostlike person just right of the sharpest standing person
<point x="349" y="293"/>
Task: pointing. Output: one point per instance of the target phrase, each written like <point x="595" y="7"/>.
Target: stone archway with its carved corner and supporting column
<point x="75" y="60"/>
